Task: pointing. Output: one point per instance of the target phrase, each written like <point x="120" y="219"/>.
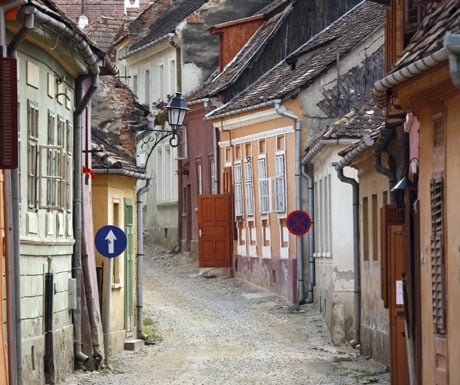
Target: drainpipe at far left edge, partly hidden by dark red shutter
<point x="12" y="226"/>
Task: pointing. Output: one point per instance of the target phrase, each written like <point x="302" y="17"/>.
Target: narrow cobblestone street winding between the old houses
<point x="215" y="330"/>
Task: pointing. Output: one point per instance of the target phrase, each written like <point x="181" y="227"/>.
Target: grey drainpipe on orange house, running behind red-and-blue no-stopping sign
<point x="300" y="269"/>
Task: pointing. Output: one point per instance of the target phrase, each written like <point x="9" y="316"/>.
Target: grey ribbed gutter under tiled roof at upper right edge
<point x="450" y="52"/>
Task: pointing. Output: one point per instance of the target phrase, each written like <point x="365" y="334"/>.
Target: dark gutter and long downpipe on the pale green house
<point x="81" y="102"/>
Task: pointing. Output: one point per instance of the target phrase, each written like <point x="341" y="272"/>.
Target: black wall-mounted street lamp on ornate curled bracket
<point x="177" y="108"/>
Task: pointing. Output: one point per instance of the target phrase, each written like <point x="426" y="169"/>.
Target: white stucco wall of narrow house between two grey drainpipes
<point x="333" y="230"/>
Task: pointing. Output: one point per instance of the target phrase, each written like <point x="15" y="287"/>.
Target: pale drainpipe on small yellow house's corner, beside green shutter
<point x="140" y="256"/>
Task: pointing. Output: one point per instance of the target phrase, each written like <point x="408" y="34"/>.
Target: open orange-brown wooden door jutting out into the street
<point x="214" y="230"/>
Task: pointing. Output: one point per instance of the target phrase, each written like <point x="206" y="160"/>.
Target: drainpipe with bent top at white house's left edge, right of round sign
<point x="315" y="150"/>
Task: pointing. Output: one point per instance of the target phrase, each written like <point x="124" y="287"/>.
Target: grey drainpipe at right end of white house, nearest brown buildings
<point x="365" y="143"/>
